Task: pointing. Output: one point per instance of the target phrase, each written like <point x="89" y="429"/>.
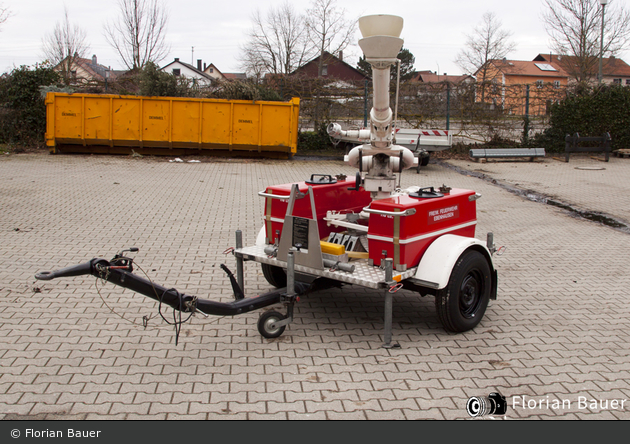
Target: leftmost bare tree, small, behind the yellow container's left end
<point x="65" y="46"/>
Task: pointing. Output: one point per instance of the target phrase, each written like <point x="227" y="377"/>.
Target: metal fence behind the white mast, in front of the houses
<point x="472" y="112"/>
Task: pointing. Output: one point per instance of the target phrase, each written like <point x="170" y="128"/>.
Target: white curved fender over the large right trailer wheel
<point x="438" y="261"/>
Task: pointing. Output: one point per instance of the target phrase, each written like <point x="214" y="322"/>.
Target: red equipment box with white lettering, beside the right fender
<point x="406" y="238"/>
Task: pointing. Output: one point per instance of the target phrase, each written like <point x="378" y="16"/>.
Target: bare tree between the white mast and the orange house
<point x="487" y="42"/>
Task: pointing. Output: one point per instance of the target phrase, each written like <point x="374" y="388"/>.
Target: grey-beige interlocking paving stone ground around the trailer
<point x="555" y="343"/>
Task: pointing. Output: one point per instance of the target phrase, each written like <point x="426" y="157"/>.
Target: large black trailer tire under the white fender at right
<point x="462" y="303"/>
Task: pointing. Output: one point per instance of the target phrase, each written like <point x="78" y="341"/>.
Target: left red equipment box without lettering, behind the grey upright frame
<point x="328" y="197"/>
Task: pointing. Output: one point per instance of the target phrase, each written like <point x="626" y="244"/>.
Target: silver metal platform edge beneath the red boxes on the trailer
<point x="364" y="274"/>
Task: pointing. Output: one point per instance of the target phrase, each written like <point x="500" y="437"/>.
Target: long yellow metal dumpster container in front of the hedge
<point x="167" y="125"/>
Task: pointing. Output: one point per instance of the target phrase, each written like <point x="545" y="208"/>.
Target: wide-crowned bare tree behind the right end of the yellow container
<point x="277" y="44"/>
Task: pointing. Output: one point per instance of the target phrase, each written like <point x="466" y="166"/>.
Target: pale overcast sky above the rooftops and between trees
<point x="434" y="30"/>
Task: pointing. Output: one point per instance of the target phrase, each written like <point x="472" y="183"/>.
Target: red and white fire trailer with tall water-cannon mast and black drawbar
<point x="333" y="230"/>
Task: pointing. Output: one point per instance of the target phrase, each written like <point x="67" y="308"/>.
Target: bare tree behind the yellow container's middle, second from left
<point x="138" y="35"/>
